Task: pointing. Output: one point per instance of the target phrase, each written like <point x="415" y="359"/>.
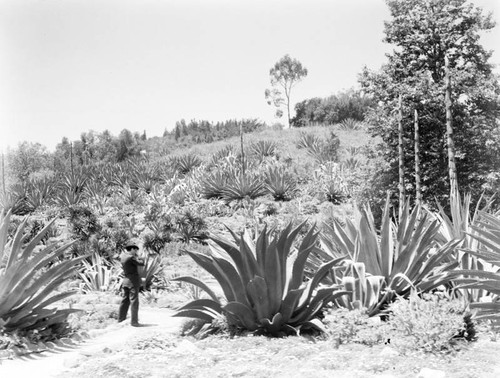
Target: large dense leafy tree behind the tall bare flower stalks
<point x="424" y="32"/>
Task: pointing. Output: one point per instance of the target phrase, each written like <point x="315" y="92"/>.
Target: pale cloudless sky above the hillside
<point x="69" y="66"/>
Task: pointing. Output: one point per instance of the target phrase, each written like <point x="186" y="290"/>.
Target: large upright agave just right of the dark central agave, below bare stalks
<point x="405" y="253"/>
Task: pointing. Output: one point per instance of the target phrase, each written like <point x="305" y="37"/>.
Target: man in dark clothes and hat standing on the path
<point x="131" y="283"/>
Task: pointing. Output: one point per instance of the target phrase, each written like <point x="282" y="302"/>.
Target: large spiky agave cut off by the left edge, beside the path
<point x="29" y="278"/>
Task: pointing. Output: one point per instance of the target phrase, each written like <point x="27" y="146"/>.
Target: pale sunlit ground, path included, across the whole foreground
<point x="157" y="350"/>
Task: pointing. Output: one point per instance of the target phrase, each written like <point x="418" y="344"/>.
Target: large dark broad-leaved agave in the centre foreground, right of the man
<point x="263" y="281"/>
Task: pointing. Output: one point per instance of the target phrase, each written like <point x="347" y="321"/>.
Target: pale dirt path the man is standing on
<point x="65" y="356"/>
